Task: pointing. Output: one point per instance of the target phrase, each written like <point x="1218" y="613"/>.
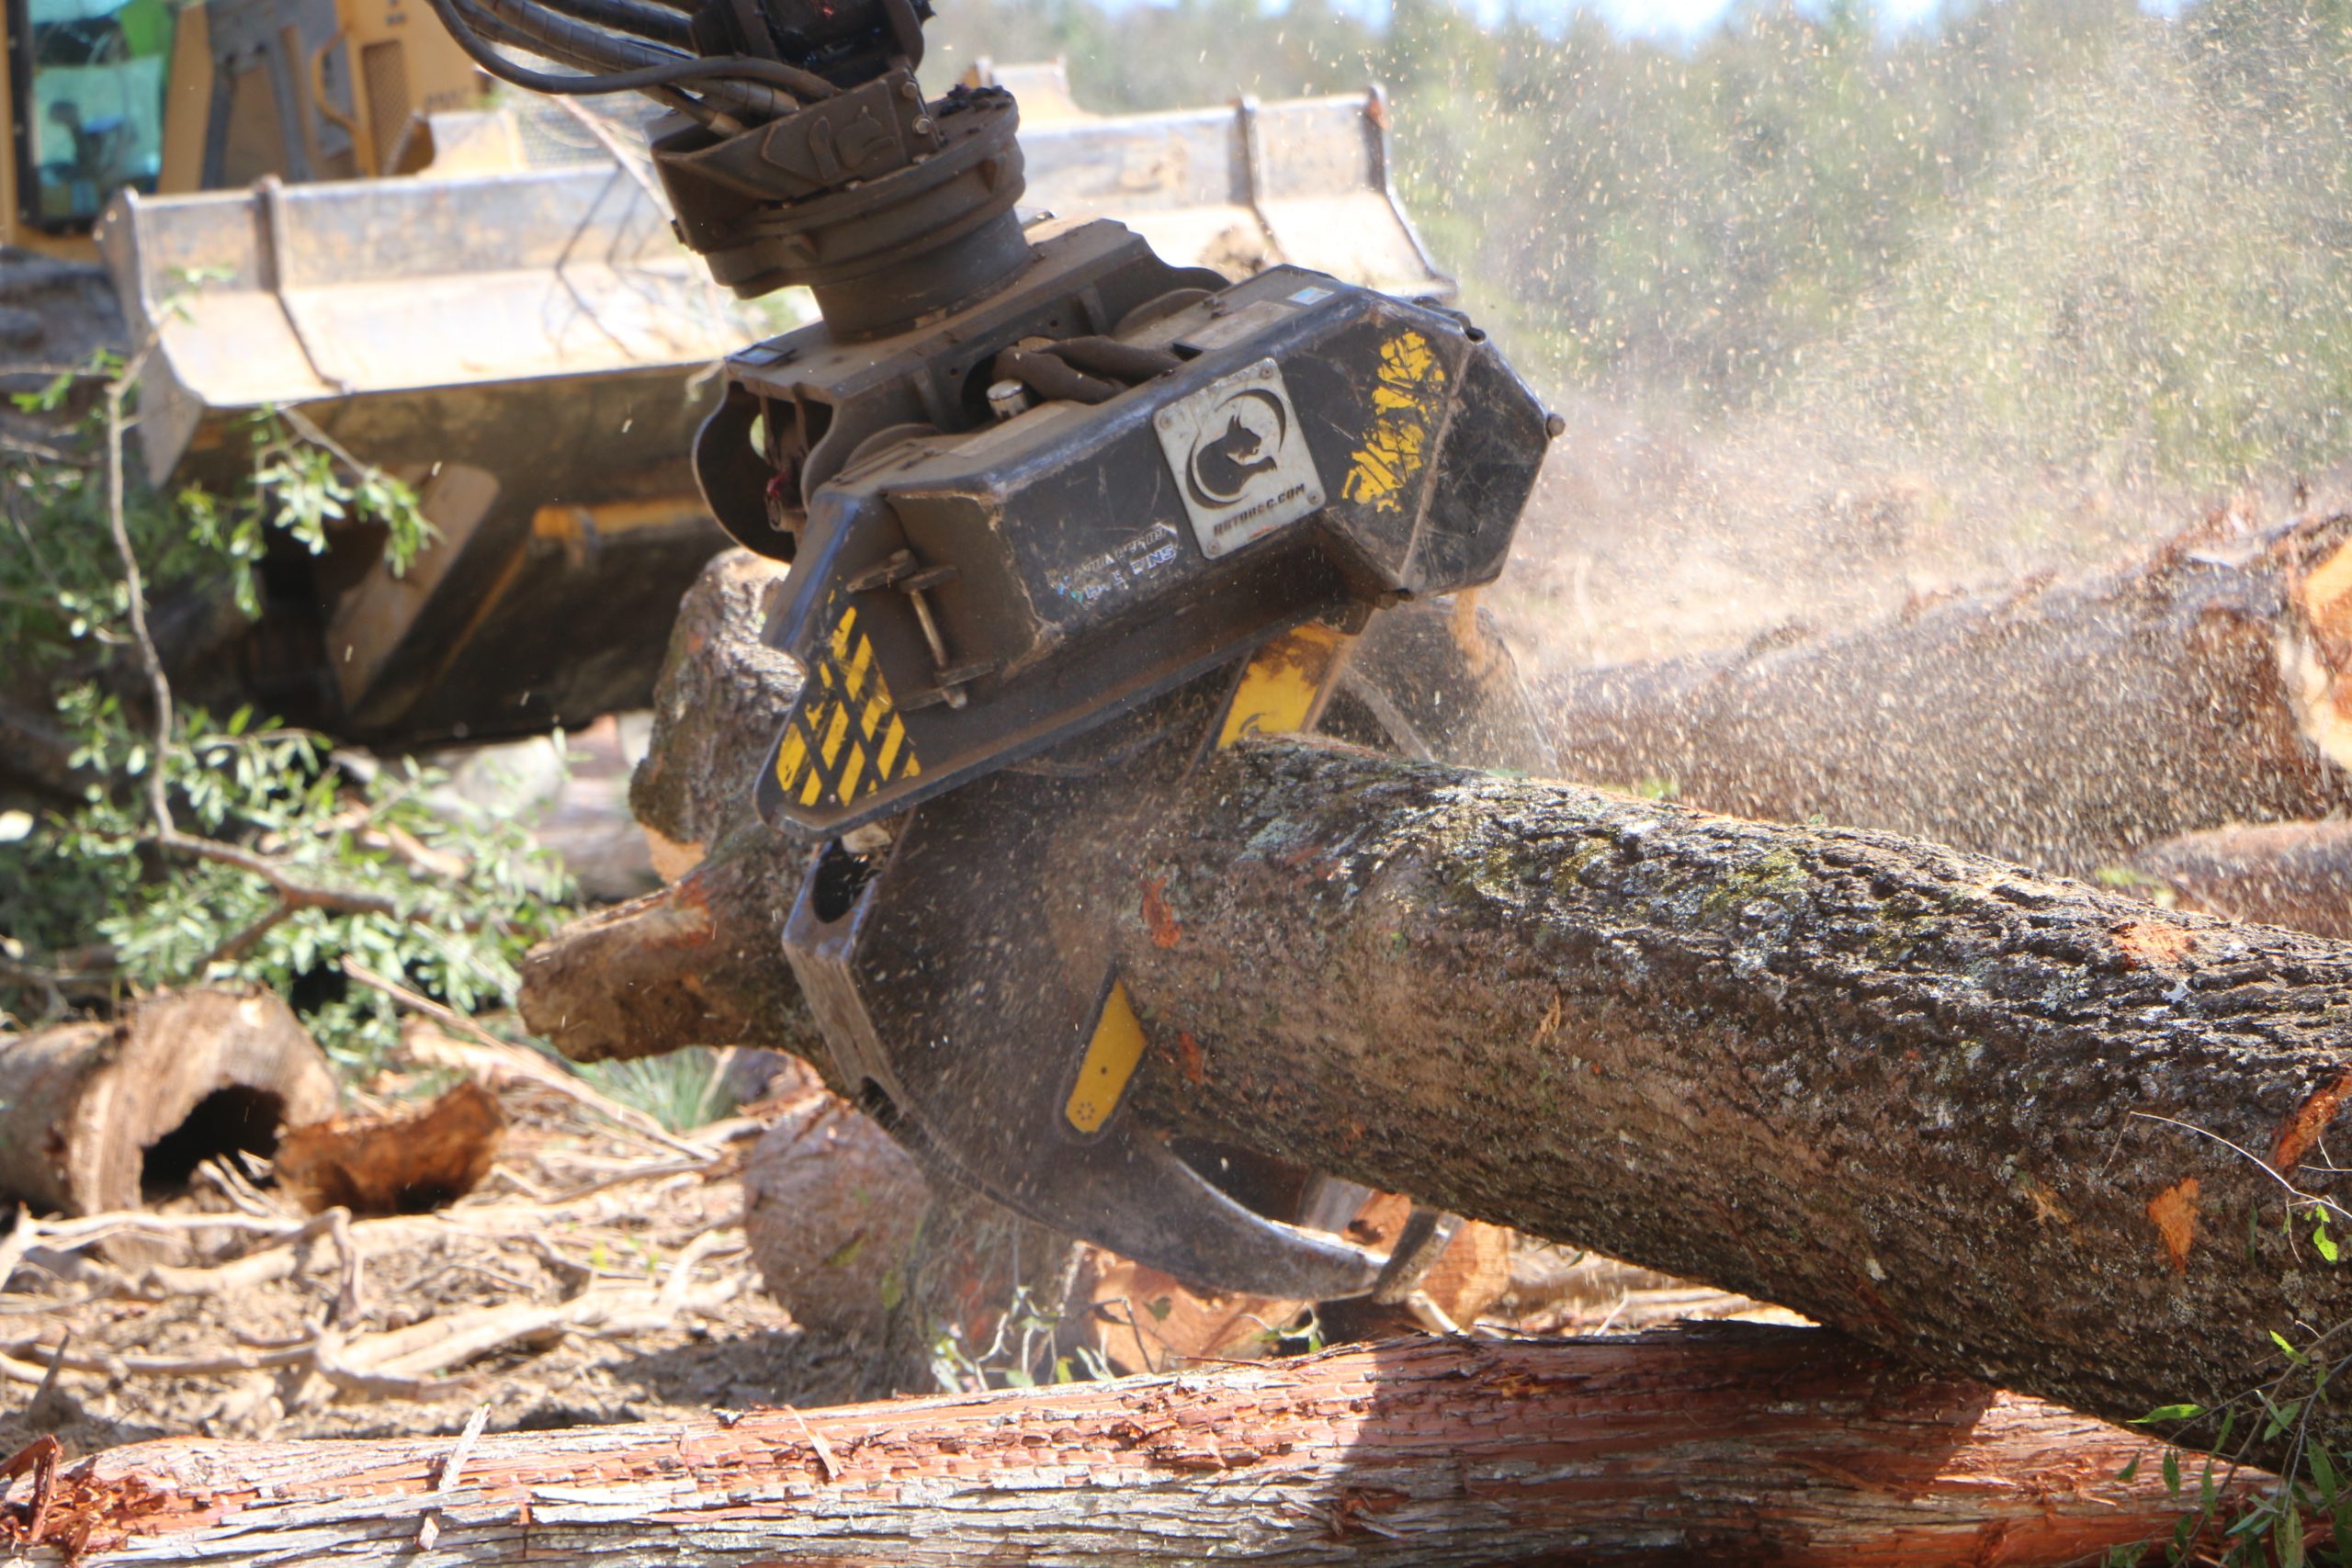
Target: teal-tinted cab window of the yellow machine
<point x="91" y="105"/>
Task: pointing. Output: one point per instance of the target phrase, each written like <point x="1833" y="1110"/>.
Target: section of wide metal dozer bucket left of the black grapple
<point x="530" y="349"/>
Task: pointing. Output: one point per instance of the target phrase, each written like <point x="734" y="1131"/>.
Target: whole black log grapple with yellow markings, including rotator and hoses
<point x="1062" y="521"/>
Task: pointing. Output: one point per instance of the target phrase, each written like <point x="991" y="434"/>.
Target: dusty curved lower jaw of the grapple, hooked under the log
<point x="961" y="979"/>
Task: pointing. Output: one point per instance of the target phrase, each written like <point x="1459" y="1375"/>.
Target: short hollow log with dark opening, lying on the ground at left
<point x="91" y="1113"/>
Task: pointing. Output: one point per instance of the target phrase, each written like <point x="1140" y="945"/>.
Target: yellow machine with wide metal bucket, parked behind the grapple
<point x="312" y="208"/>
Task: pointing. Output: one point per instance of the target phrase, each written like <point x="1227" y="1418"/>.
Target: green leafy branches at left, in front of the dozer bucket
<point x="283" y="857"/>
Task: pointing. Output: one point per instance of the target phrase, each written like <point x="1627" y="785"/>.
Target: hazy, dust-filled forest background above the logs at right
<point x="1852" y="311"/>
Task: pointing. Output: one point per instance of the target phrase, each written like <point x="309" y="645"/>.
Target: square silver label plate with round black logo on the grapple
<point x="1241" y="460"/>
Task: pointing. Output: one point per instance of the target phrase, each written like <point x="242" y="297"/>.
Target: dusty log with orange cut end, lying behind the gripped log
<point x="2064" y="725"/>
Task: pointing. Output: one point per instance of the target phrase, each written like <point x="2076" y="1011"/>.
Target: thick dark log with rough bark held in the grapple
<point x="2017" y="1130"/>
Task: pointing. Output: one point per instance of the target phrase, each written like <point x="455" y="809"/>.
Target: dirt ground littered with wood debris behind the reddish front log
<point x="227" y="1325"/>
